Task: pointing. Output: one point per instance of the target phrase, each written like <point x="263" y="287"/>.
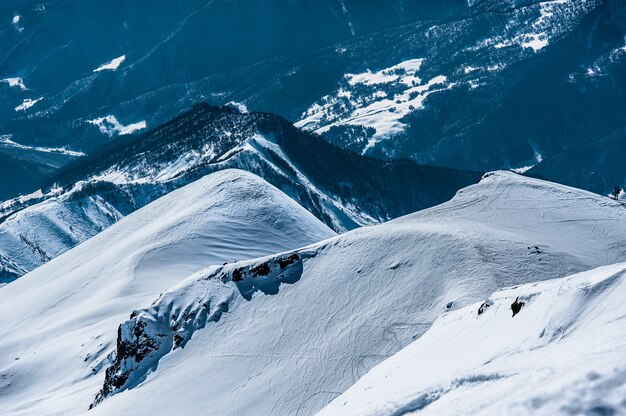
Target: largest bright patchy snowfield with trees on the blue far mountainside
<point x="374" y="100"/>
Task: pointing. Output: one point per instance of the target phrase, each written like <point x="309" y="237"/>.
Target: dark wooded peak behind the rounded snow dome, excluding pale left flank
<point x="342" y="188"/>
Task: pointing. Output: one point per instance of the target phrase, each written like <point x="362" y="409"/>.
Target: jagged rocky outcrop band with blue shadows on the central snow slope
<point x="169" y="323"/>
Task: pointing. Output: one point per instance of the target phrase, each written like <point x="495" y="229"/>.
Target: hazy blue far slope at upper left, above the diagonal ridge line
<point x="85" y="61"/>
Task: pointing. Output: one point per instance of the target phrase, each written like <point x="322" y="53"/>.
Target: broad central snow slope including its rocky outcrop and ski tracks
<point x="308" y="324"/>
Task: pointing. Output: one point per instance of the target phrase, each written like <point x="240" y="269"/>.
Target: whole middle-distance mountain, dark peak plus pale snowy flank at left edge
<point x="341" y="188"/>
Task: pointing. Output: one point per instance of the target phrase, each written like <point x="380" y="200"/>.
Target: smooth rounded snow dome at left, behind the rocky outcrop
<point x="58" y="319"/>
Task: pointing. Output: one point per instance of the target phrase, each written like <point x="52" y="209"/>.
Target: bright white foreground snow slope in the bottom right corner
<point x="562" y="353"/>
